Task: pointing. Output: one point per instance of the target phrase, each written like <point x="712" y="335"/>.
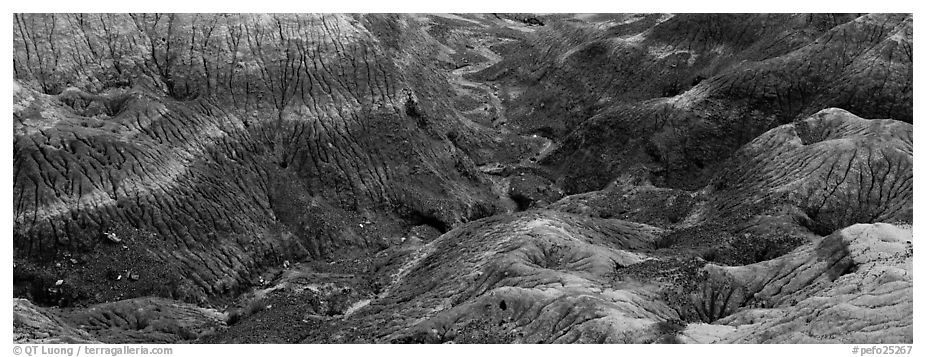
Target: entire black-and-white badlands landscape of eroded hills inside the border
<point x="469" y="178"/>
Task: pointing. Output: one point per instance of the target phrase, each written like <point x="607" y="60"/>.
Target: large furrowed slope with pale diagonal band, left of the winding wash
<point x="263" y="138"/>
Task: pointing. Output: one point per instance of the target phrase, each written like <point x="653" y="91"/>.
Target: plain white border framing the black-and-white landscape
<point x="470" y="6"/>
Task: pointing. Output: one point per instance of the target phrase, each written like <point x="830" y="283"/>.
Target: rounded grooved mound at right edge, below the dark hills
<point x="837" y="168"/>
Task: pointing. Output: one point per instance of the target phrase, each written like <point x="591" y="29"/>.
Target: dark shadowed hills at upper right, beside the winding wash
<point x="673" y="96"/>
